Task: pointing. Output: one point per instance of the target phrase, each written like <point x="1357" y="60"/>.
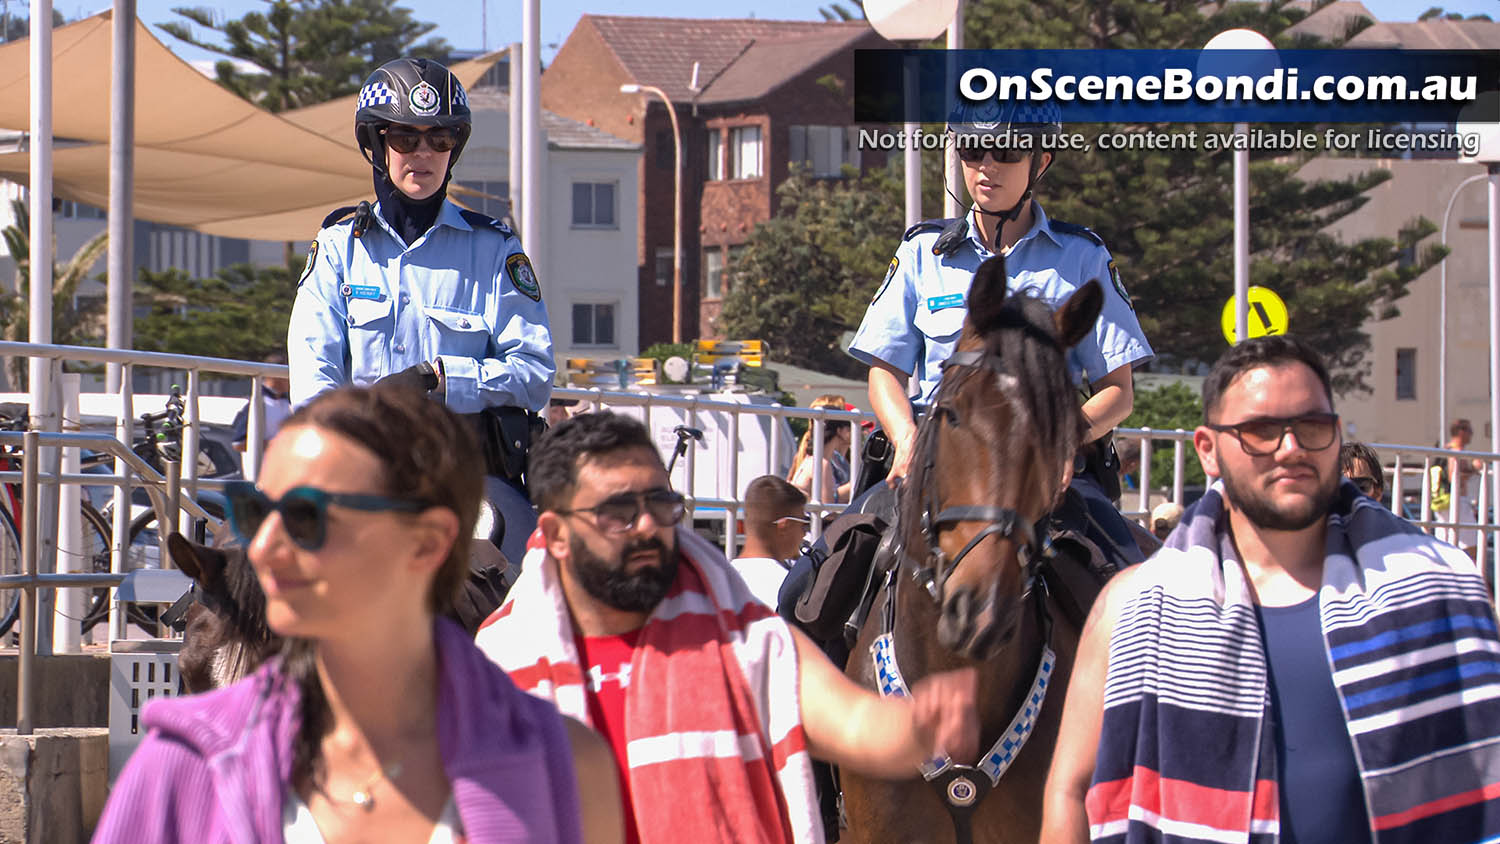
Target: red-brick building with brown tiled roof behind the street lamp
<point x="752" y="97"/>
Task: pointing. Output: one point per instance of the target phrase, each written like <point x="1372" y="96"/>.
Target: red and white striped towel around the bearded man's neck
<point x="713" y="717"/>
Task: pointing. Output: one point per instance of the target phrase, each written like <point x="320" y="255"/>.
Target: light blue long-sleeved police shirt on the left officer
<point x="463" y="295"/>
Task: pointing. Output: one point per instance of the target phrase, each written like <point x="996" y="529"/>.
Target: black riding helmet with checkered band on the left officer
<point x="412" y="92"/>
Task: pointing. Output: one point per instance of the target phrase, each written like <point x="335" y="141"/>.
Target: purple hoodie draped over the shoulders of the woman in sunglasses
<point x="214" y="767"/>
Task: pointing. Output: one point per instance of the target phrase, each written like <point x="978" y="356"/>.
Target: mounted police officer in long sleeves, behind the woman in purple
<point x="424" y="293"/>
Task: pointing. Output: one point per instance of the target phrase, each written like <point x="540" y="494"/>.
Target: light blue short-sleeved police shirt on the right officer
<point x="919" y="311"/>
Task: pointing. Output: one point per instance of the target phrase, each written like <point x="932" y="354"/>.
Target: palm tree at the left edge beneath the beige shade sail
<point x="71" y="325"/>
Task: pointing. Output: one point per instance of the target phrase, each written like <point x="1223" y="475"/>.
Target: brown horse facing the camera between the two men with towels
<point x="967" y="581"/>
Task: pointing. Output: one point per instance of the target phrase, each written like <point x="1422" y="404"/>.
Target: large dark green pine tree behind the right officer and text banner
<point x="1166" y="215"/>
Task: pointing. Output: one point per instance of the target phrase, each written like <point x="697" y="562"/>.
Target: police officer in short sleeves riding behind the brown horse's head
<point x="914" y="320"/>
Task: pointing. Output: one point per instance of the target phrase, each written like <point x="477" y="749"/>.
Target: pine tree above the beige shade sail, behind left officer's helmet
<point x="308" y="52"/>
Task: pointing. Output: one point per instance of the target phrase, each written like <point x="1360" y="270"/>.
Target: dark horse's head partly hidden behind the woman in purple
<point x="227" y="636"/>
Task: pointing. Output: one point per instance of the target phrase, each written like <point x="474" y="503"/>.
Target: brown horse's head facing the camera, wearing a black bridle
<point x="991" y="458"/>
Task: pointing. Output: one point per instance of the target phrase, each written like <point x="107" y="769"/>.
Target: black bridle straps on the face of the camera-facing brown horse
<point x="1006" y="522"/>
